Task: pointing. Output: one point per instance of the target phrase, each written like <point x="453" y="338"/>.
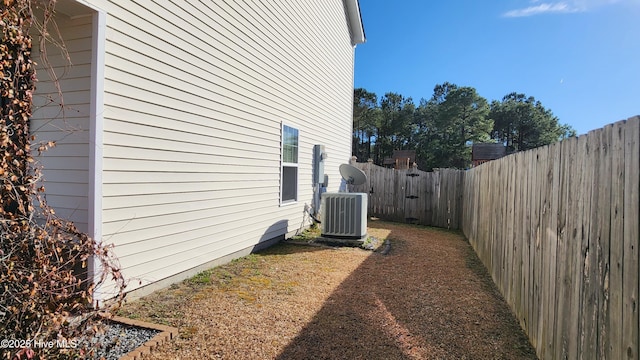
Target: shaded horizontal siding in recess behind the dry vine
<point x="65" y="167"/>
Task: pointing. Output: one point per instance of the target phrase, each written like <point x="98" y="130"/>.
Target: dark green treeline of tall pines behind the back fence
<point x="442" y="129"/>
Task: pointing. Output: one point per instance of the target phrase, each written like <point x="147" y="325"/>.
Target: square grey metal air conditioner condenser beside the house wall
<point x="344" y="215"/>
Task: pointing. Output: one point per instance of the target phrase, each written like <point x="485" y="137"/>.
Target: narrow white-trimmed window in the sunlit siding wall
<point x="289" y="170"/>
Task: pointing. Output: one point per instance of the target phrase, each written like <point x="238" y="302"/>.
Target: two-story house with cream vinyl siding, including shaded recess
<point x="186" y="129"/>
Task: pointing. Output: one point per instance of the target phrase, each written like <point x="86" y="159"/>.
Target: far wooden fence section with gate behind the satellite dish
<point x="426" y="198"/>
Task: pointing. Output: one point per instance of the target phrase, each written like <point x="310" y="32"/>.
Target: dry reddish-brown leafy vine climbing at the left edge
<point x="46" y="286"/>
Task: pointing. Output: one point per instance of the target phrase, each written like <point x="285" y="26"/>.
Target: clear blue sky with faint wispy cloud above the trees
<point x="580" y="58"/>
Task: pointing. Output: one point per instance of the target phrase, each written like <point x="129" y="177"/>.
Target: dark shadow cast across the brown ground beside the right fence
<point x="424" y="300"/>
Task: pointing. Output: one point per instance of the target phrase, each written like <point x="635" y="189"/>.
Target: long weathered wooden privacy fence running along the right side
<point x="557" y="228"/>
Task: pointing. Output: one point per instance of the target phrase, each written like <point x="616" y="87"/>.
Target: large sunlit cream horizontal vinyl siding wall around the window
<point x="195" y="94"/>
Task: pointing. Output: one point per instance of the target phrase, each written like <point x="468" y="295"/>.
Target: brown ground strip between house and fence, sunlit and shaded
<point x="429" y="298"/>
